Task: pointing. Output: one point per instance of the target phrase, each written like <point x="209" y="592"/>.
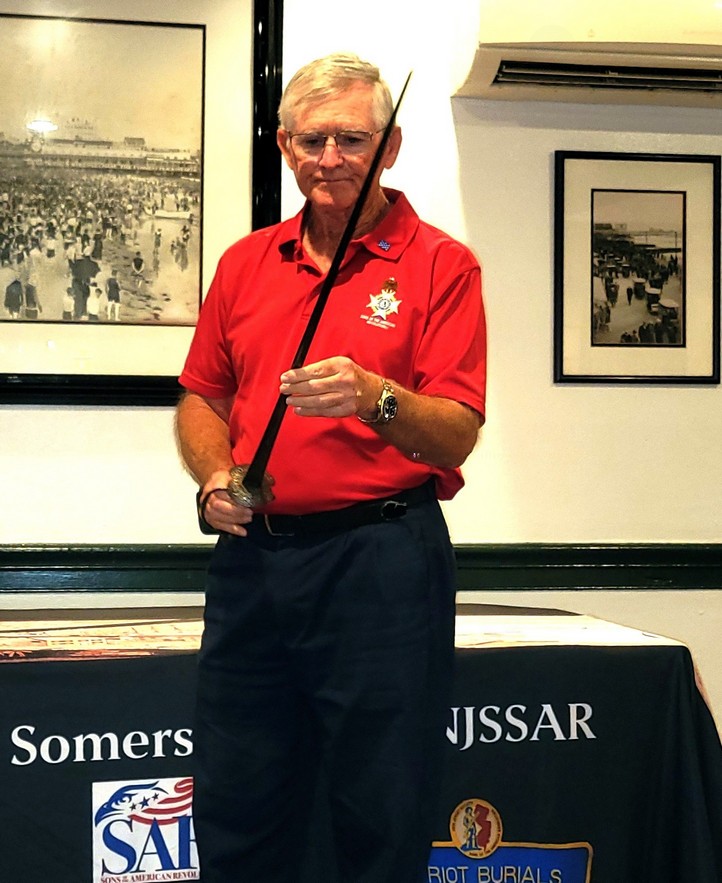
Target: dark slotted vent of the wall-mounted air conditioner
<point x="605" y="76"/>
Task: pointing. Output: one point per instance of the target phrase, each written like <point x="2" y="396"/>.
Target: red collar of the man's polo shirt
<point x="387" y="240"/>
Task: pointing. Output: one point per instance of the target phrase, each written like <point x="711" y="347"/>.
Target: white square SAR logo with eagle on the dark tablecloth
<point x="143" y="831"/>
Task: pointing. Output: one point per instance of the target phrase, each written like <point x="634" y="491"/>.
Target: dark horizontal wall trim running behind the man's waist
<point x="505" y="567"/>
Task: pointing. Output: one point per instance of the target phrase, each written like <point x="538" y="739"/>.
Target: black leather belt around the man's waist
<point x="368" y="512"/>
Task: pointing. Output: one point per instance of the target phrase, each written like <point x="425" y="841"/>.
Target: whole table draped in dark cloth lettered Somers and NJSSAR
<point x="578" y="750"/>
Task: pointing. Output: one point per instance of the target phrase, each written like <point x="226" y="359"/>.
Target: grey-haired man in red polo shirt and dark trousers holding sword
<point x="328" y="643"/>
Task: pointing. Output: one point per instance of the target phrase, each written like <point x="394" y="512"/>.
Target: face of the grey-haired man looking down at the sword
<point x="332" y="180"/>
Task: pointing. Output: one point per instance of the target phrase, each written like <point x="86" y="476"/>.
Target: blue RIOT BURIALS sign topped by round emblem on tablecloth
<point x="477" y="853"/>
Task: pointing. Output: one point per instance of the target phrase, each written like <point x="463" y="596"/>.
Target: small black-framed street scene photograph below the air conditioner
<point x="636" y="268"/>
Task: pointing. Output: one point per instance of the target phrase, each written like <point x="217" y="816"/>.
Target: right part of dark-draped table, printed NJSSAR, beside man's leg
<point x="593" y="746"/>
